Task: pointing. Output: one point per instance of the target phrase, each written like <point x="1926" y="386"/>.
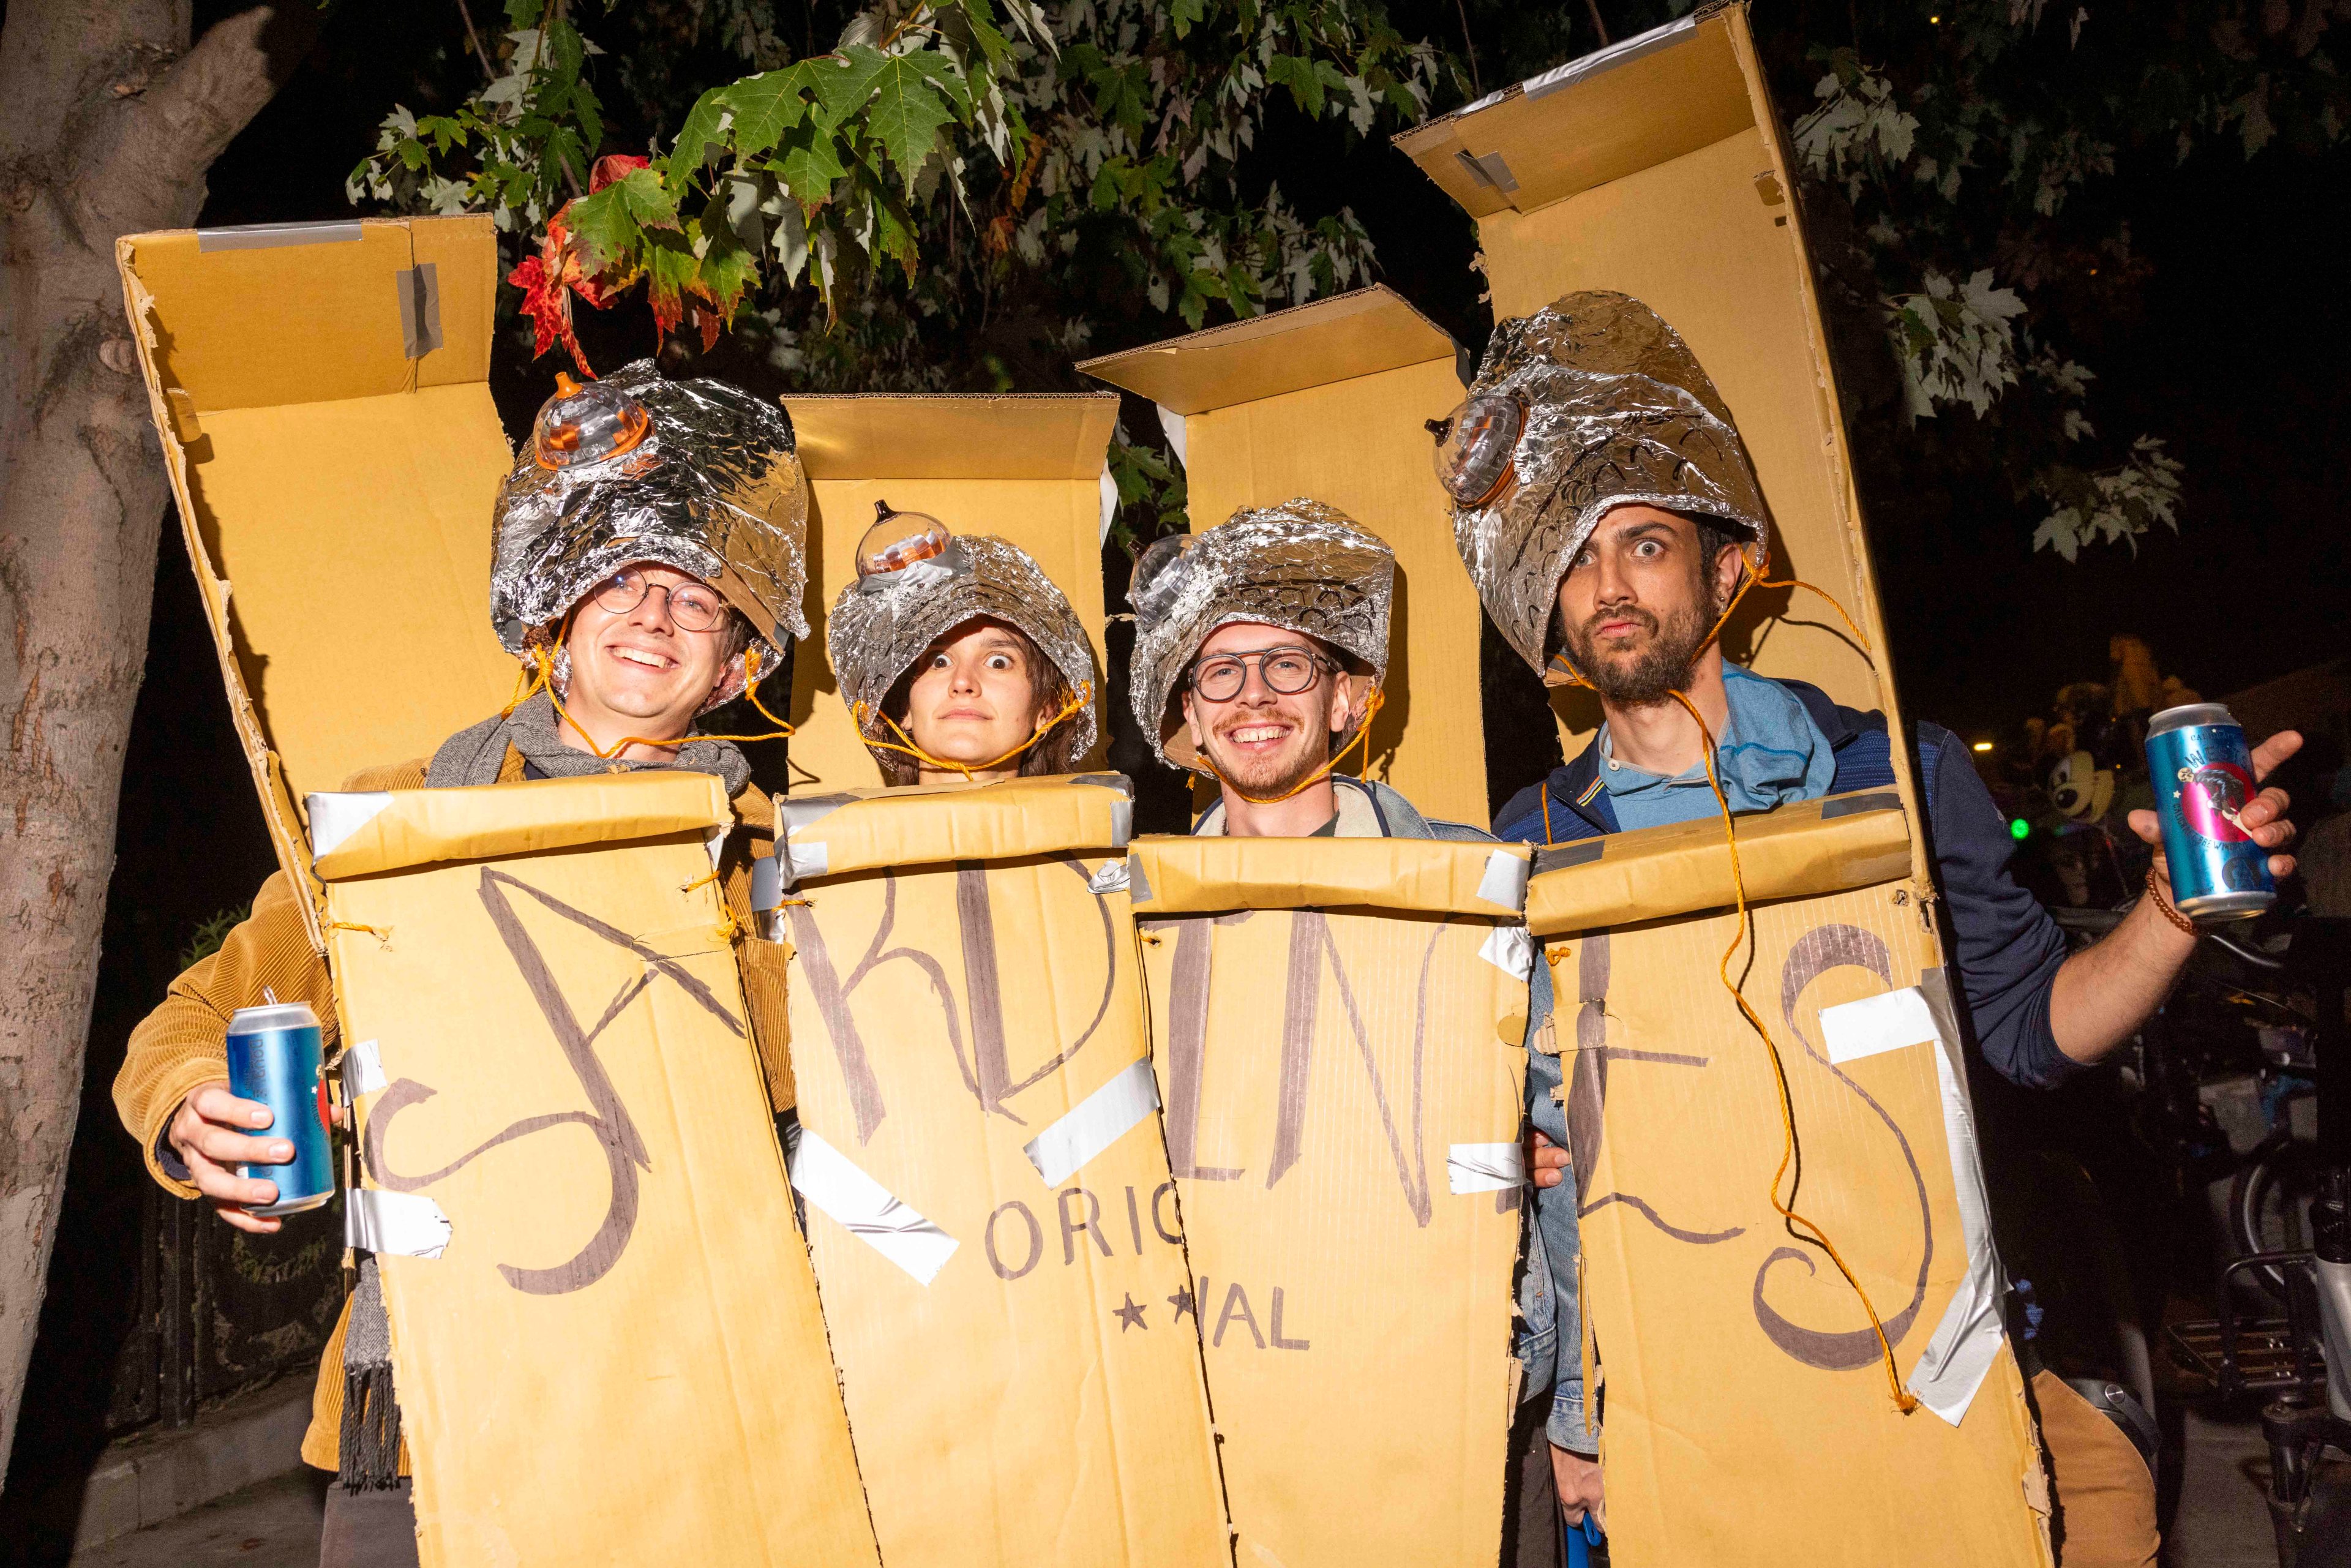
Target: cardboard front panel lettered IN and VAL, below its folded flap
<point x="1318" y="1068"/>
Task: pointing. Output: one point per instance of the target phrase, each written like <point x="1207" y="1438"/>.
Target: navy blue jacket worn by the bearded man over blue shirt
<point x="2007" y="946"/>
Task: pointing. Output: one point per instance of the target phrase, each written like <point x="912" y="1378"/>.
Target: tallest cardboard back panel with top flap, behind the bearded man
<point x="1663" y="177"/>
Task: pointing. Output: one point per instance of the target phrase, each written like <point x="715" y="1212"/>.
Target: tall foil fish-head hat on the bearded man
<point x="1583" y="406"/>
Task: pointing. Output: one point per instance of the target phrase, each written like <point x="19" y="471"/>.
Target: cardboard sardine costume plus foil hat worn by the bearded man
<point x="1661" y="342"/>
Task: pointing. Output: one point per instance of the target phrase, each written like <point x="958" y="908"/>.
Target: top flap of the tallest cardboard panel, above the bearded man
<point x="1590" y="121"/>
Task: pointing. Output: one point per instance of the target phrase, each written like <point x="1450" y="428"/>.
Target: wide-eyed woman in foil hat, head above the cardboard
<point x="960" y="657"/>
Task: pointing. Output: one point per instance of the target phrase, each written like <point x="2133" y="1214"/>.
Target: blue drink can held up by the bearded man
<point x="2202" y="770"/>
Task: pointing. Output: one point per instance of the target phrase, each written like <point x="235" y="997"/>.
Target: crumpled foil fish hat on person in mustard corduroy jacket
<point x="641" y="469"/>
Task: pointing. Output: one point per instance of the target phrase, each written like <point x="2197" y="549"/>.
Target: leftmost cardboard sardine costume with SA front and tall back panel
<point x="556" y="1078"/>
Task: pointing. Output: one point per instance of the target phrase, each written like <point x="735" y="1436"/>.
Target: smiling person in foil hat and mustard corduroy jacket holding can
<point x="650" y="563"/>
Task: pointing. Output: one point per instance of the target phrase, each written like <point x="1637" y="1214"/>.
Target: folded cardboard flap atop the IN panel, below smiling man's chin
<point x="1195" y="876"/>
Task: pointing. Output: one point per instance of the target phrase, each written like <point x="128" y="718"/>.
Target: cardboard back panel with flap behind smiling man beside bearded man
<point x="1329" y="401"/>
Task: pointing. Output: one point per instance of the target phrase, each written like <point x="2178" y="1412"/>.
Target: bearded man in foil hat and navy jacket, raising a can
<point x="1609" y="514"/>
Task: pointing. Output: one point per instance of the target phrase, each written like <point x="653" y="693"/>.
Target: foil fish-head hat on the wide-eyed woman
<point x="918" y="582"/>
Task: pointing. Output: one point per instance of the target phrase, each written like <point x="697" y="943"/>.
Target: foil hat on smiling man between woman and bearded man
<point x="1299" y="565"/>
